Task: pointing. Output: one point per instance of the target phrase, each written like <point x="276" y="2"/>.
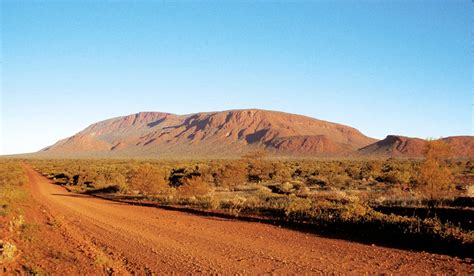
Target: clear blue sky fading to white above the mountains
<point x="388" y="67"/>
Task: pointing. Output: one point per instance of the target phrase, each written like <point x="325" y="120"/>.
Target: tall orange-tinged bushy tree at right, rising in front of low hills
<point x="435" y="178"/>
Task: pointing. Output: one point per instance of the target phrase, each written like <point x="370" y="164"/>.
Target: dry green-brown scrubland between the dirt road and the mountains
<point x="387" y="201"/>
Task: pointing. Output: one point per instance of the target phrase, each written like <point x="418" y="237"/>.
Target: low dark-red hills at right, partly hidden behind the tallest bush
<point x="401" y="146"/>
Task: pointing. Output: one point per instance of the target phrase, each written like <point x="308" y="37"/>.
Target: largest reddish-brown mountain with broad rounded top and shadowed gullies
<point x="218" y="134"/>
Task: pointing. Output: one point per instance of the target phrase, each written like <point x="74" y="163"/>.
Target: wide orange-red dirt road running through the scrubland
<point x="143" y="239"/>
